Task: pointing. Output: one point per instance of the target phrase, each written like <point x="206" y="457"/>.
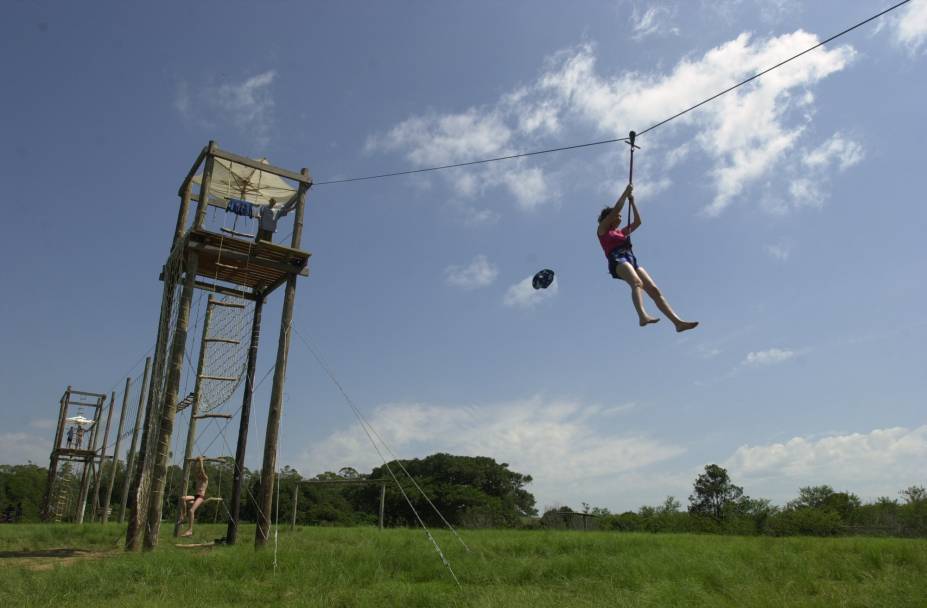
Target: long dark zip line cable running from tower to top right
<point x="619" y="139"/>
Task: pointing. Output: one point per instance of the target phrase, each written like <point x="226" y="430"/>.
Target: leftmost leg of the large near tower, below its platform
<point x="141" y="475"/>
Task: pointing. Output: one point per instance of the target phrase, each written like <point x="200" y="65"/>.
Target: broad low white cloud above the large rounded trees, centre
<point x="563" y="444"/>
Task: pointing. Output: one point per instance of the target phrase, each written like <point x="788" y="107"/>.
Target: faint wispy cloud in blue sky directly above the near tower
<point x="247" y="105"/>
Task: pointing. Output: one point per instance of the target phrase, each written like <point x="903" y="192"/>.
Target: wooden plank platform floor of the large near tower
<point x="261" y="266"/>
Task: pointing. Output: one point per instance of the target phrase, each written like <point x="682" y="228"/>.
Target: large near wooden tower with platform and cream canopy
<point x="230" y="263"/>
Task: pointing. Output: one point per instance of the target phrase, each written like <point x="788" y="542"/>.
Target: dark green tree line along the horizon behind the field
<point x="478" y="492"/>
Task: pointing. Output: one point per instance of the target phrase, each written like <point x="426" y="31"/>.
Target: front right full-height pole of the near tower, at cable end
<point x="269" y="465"/>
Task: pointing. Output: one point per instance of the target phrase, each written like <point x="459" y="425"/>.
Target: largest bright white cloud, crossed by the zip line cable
<point x="748" y="134"/>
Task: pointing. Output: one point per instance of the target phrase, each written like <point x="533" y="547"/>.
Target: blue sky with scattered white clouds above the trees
<point x="787" y="217"/>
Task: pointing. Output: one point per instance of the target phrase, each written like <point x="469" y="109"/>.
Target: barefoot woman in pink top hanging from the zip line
<point x="616" y="243"/>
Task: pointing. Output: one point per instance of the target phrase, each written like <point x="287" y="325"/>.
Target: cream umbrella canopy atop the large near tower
<point x="234" y="181"/>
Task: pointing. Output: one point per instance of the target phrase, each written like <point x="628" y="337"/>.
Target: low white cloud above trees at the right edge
<point x="880" y="462"/>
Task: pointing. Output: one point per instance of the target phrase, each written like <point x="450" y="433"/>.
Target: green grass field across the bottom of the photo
<point x="334" y="567"/>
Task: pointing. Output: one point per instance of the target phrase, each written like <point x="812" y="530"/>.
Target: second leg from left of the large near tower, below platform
<point x="169" y="408"/>
